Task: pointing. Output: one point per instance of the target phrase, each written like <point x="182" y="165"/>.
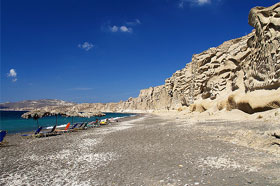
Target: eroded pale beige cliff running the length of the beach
<point x="242" y="73"/>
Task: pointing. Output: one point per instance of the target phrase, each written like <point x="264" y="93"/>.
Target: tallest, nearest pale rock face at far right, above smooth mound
<point x="262" y="66"/>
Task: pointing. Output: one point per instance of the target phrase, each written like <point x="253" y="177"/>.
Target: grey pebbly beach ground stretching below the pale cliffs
<point x="148" y="149"/>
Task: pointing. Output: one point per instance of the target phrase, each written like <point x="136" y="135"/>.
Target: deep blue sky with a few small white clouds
<point x="108" y="50"/>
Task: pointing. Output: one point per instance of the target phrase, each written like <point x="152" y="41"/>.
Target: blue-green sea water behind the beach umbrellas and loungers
<point x="13" y="123"/>
